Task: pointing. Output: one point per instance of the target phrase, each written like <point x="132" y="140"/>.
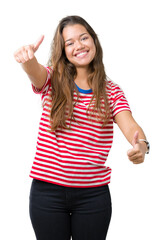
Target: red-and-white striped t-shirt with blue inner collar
<point x="76" y="157"/>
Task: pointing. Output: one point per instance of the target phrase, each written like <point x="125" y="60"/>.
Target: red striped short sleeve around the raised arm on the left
<point x="47" y="84"/>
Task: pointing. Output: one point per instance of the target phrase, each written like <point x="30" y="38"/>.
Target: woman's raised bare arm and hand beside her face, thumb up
<point x="35" y="71"/>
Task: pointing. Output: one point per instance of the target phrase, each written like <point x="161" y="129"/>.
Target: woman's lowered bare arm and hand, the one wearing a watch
<point x="133" y="132"/>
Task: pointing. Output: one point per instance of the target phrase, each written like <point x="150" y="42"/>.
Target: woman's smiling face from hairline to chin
<point x="79" y="45"/>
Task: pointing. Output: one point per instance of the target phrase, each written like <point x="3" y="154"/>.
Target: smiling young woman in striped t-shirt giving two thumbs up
<point x="70" y="194"/>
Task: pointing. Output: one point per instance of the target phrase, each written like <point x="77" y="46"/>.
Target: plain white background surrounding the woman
<point x="130" y="32"/>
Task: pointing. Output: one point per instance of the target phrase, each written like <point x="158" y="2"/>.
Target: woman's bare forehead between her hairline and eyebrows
<point x="73" y="31"/>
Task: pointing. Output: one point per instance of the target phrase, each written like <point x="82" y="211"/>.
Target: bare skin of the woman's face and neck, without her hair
<point x="77" y="40"/>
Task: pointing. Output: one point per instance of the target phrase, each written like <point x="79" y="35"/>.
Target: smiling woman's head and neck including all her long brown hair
<point x="76" y="54"/>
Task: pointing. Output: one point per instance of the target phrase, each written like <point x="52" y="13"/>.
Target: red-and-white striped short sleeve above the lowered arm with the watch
<point x="119" y="102"/>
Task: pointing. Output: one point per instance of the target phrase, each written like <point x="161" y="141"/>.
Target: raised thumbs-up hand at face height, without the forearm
<point x="26" y="53"/>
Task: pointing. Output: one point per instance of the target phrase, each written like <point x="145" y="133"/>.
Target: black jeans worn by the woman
<point x="59" y="213"/>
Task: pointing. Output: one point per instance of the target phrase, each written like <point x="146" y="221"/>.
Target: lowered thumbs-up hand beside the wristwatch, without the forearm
<point x="137" y="153"/>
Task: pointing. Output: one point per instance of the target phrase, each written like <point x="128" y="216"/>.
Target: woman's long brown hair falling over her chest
<point x="64" y="72"/>
